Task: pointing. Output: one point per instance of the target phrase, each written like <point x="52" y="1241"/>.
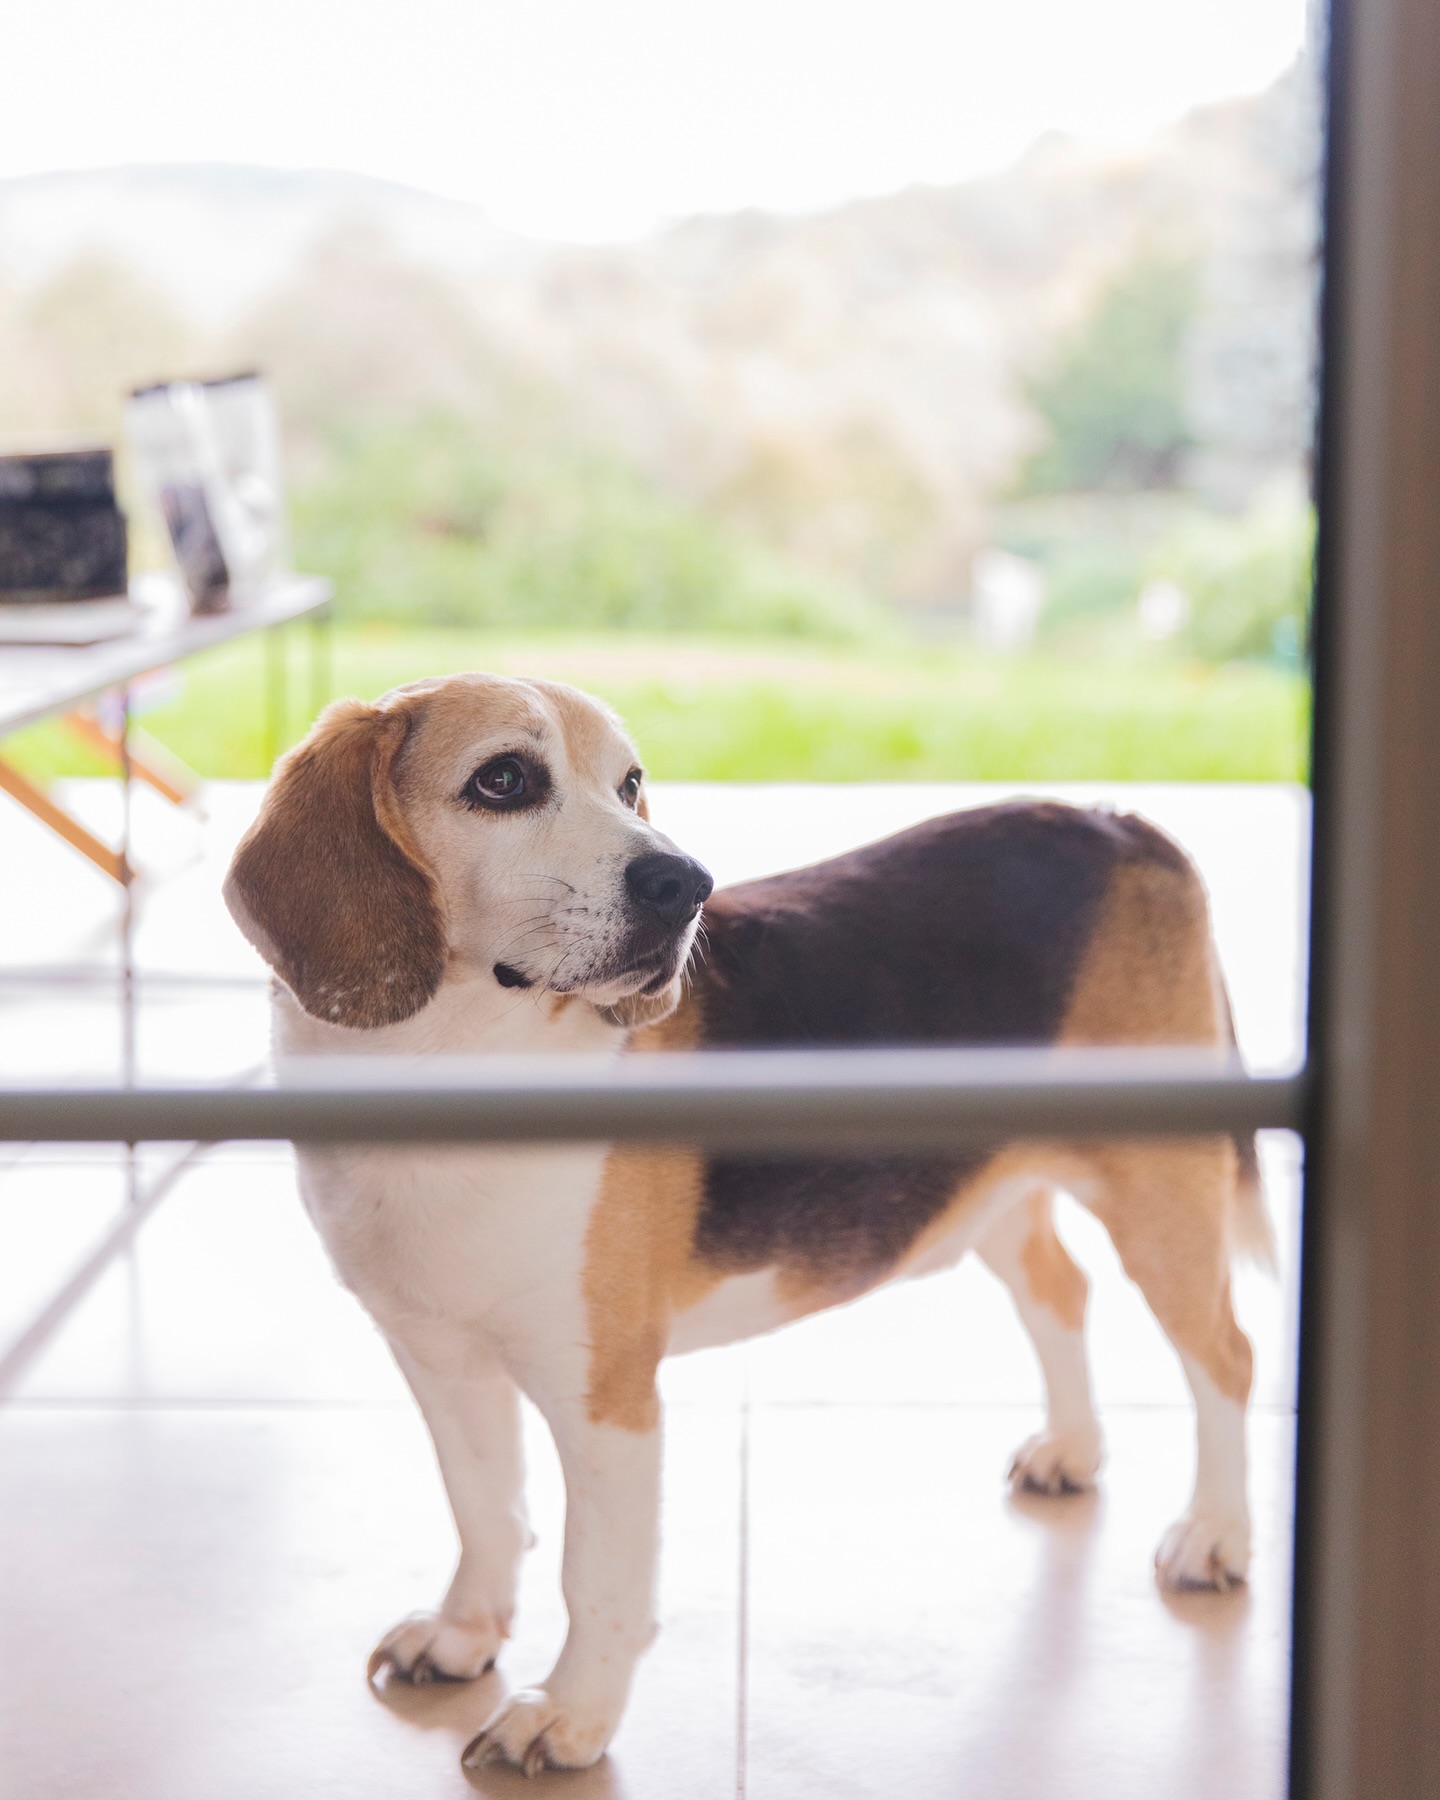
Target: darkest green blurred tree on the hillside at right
<point x="1115" y="397"/>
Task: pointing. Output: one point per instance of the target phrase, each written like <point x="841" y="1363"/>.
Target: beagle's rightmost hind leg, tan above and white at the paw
<point x="1171" y="1210"/>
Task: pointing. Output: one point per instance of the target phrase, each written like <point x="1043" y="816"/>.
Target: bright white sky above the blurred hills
<point x="600" y="118"/>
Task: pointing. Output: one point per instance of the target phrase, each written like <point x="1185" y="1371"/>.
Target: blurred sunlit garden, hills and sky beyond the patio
<point x="847" y="391"/>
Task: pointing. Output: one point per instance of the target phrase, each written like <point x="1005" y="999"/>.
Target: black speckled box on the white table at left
<point x="62" y="537"/>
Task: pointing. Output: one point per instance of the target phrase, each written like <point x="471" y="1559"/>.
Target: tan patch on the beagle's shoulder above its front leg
<point x="640" y="1266"/>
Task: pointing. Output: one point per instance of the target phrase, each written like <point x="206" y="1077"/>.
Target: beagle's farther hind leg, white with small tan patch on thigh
<point x="1050" y="1295"/>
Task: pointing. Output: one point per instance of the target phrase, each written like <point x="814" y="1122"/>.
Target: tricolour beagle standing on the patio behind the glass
<point x="467" y="867"/>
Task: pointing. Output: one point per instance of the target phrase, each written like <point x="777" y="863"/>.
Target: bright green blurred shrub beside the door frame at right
<point x="1248" y="580"/>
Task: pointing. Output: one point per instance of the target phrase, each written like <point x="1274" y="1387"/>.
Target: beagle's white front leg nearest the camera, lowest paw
<point x="613" y="1497"/>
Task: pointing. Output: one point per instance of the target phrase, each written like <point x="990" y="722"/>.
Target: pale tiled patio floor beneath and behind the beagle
<point x="215" y="1493"/>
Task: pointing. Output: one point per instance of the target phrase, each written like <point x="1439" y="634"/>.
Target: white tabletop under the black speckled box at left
<point x="39" y="681"/>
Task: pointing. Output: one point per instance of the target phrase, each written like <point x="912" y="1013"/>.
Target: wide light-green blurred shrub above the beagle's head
<point x="424" y="523"/>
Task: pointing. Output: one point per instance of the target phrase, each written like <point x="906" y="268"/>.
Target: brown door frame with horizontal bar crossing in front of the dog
<point x="1367" y="1585"/>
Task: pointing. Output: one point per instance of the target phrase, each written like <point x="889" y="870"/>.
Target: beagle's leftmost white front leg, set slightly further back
<point x="474" y="1417"/>
